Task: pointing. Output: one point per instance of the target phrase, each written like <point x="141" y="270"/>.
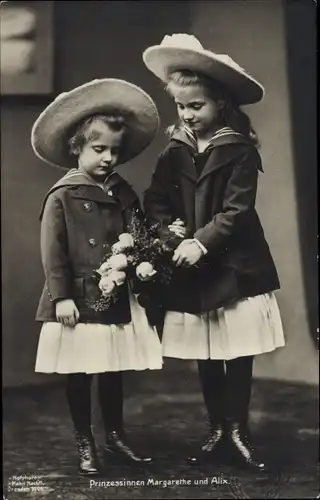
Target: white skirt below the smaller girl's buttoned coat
<point x="97" y="348"/>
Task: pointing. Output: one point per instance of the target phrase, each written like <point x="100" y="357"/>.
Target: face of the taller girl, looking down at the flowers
<point x="196" y="108"/>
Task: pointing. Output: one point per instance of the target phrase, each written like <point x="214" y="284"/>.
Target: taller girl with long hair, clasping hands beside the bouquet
<point x="221" y="309"/>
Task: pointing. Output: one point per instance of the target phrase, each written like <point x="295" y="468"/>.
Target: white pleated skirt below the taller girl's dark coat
<point x="248" y="327"/>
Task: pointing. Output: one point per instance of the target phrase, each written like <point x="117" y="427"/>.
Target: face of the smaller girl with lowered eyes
<point x="100" y="152"/>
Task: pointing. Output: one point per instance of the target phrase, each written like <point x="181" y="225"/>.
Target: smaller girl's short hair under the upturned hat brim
<point x="78" y="136"/>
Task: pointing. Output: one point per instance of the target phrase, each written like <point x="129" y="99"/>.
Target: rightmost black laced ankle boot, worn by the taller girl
<point x="240" y="447"/>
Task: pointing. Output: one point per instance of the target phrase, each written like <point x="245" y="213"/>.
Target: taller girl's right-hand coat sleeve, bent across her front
<point x="239" y="200"/>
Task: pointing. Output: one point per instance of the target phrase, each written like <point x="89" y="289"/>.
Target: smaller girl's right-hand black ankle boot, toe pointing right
<point x="117" y="449"/>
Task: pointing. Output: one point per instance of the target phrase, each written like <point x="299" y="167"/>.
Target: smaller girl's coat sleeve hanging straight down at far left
<point x="54" y="250"/>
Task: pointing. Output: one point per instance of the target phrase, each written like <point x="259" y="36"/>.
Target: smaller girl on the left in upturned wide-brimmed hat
<point x="92" y="128"/>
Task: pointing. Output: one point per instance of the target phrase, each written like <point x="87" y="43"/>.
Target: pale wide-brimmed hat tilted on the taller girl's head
<point x="182" y="51"/>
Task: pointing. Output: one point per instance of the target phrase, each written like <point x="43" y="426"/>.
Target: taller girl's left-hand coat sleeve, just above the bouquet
<point x="157" y="203"/>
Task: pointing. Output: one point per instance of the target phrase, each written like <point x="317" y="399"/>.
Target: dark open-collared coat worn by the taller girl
<point x="218" y="208"/>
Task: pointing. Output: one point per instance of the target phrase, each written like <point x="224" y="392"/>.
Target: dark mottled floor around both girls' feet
<point x="165" y="418"/>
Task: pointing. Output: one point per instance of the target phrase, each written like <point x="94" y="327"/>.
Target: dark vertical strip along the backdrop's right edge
<point x="302" y="66"/>
